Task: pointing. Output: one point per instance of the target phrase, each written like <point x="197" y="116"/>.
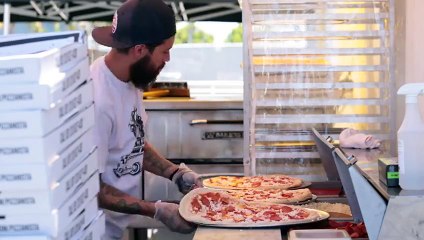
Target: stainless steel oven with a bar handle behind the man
<point x="205" y="135"/>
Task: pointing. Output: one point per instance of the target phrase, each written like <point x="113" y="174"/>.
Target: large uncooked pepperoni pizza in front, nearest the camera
<point x="215" y="207"/>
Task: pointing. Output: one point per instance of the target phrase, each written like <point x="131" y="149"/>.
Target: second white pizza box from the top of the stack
<point x="38" y="68"/>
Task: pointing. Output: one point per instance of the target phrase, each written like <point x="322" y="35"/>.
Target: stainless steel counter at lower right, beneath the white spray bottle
<point x="400" y="215"/>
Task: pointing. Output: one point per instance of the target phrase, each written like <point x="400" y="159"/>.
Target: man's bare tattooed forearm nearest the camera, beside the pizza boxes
<point x="115" y="200"/>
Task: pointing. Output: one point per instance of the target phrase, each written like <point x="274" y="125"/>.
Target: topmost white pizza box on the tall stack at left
<point x="15" y="44"/>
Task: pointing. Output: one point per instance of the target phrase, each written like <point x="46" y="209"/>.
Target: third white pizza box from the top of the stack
<point x="46" y="95"/>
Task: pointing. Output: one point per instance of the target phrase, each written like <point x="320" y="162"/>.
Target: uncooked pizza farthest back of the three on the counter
<point x="265" y="181"/>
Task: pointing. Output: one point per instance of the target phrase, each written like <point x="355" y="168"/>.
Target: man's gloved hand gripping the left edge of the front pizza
<point x="168" y="214"/>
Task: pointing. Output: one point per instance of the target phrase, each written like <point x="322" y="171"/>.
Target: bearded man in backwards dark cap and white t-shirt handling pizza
<point x="141" y="36"/>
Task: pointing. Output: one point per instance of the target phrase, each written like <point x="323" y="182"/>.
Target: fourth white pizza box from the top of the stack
<point x="38" y="123"/>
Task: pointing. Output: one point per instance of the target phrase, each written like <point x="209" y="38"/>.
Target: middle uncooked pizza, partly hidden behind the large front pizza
<point x="273" y="195"/>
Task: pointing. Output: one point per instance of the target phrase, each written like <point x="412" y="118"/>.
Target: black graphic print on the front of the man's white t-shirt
<point x="129" y="163"/>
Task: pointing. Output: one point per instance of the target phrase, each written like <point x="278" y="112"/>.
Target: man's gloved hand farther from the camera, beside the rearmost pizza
<point x="186" y="179"/>
